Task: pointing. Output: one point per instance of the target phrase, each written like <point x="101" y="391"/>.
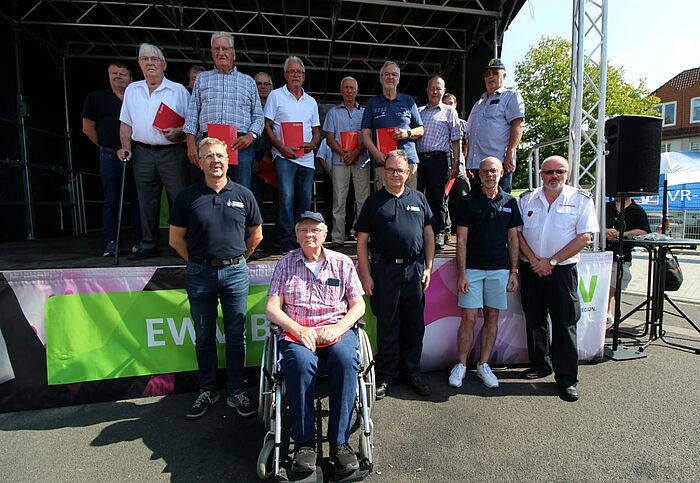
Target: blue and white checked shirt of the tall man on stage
<point x="230" y="99"/>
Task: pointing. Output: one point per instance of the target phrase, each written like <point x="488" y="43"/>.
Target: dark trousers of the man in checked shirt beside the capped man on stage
<point x="433" y="173"/>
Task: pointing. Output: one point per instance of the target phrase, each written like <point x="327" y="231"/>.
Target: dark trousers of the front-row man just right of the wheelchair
<point x="398" y="302"/>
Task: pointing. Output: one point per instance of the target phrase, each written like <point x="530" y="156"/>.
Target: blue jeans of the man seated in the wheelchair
<point x="301" y="366"/>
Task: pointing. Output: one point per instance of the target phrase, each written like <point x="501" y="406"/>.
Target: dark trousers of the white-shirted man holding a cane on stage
<point x="153" y="169"/>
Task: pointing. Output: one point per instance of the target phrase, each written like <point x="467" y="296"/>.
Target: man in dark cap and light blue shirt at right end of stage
<point x="495" y="126"/>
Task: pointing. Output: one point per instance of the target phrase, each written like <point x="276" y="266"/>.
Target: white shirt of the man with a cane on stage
<point x="140" y="107"/>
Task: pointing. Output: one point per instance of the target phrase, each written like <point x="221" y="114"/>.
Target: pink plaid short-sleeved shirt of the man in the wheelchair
<point x="311" y="300"/>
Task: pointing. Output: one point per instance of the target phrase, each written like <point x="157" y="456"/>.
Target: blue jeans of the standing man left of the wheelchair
<point x="205" y="287"/>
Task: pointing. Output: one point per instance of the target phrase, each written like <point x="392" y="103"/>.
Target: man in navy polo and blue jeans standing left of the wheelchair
<point x="208" y="226"/>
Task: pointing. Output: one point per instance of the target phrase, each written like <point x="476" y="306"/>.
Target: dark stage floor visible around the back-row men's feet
<point x="85" y="251"/>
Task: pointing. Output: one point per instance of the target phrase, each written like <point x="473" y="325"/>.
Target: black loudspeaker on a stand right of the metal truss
<point x="634" y="155"/>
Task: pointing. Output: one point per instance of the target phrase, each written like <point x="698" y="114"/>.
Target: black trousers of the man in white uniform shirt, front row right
<point x="556" y="295"/>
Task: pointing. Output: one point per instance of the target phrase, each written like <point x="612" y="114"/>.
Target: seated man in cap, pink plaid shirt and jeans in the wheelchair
<point x="315" y="297"/>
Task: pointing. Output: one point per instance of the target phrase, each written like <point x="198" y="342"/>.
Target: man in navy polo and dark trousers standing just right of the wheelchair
<point x="395" y="249"/>
